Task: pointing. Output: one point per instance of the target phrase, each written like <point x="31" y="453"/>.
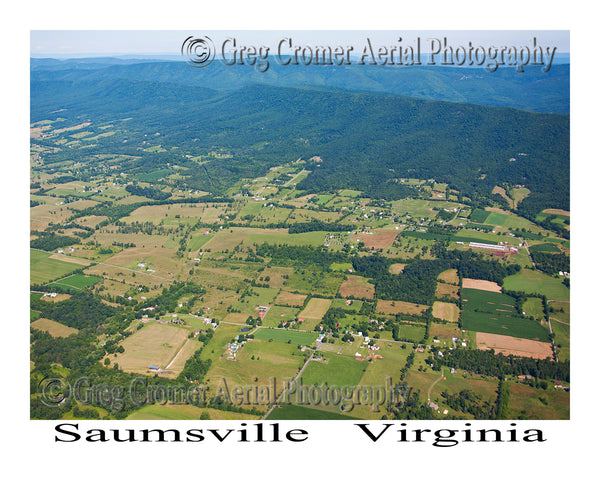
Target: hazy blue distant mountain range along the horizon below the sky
<point x="531" y="90"/>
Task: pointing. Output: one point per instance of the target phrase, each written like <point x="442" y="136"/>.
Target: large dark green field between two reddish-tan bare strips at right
<point x="492" y="312"/>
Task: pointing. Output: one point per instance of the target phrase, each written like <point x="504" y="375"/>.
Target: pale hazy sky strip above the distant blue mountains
<point x="75" y="43"/>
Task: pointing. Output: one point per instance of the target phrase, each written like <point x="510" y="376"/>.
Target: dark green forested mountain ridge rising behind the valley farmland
<point x="367" y="141"/>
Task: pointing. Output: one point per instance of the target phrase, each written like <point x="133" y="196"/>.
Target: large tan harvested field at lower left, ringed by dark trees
<point x="155" y="344"/>
